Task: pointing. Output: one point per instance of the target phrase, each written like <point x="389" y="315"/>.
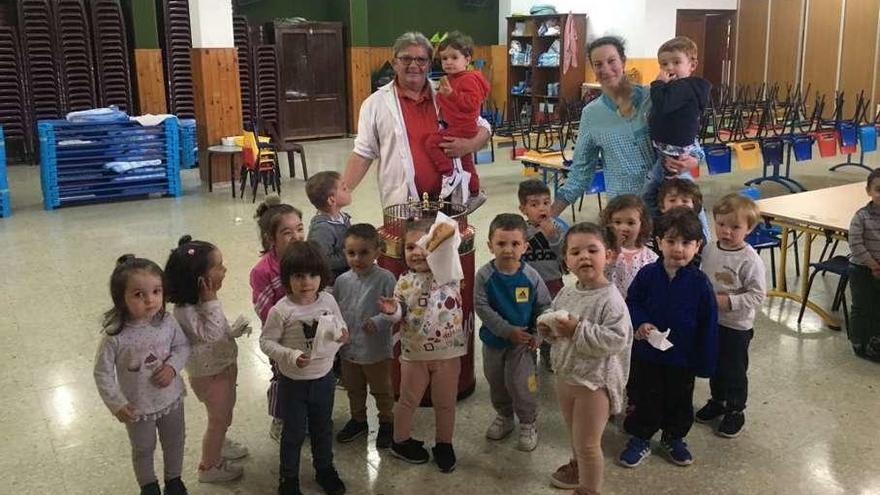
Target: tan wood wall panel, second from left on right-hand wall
<point x="786" y="25"/>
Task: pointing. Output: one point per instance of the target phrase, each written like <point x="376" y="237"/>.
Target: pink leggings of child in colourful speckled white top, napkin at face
<point x="415" y="376"/>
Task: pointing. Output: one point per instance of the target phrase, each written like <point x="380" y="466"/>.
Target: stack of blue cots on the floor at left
<point x="96" y="162"/>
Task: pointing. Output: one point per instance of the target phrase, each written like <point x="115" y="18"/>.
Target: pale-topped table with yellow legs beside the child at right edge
<point x="820" y="213"/>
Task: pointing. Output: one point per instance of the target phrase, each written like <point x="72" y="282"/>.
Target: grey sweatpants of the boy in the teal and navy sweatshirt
<point x="508" y="371"/>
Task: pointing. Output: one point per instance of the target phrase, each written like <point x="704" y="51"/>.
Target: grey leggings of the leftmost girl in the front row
<point x="172" y="433"/>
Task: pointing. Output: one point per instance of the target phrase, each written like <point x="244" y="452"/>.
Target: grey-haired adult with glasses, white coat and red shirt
<point x="394" y="123"/>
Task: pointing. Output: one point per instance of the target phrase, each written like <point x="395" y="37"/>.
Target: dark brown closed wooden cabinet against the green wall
<point x="311" y="68"/>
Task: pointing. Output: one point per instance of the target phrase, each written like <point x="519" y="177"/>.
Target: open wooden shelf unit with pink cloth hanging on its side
<point x="538" y="84"/>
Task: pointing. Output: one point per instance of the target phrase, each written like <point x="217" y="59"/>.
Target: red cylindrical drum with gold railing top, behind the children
<point x="393" y="260"/>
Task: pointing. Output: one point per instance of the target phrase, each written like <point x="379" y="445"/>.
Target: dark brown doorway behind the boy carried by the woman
<point x="714" y="32"/>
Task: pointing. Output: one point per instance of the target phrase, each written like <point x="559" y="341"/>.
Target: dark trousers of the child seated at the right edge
<point x="864" y="317"/>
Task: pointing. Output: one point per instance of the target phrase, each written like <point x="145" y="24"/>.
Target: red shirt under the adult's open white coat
<point x="420" y="120"/>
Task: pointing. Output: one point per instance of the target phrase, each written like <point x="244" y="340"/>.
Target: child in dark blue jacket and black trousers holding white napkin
<point x="673" y="295"/>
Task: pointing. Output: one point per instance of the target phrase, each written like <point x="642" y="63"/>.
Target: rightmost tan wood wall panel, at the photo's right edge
<point x="859" y="52"/>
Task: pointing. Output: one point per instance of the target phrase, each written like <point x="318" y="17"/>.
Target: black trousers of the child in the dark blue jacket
<point x="663" y="400"/>
